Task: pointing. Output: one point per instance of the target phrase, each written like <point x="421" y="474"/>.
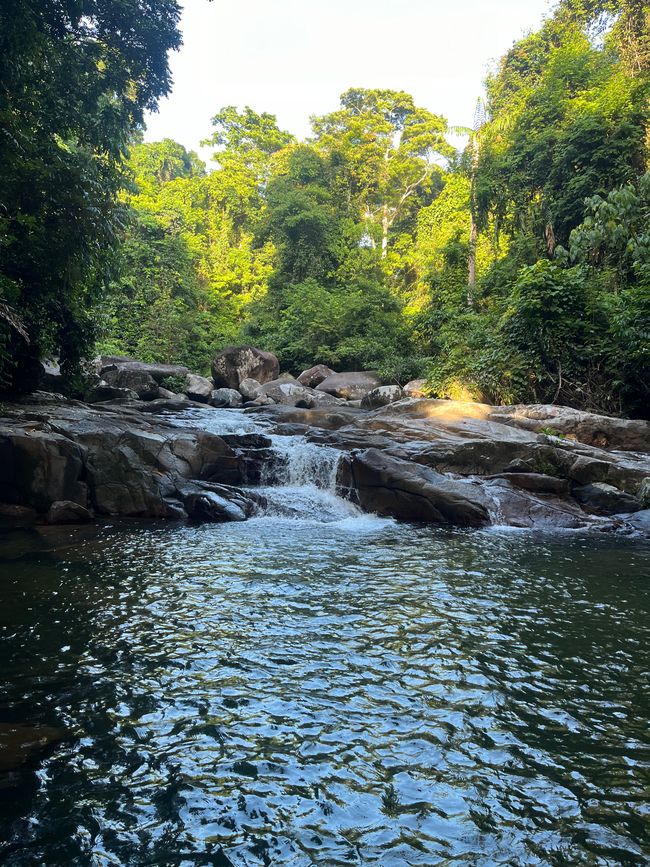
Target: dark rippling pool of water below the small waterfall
<point x="354" y="692"/>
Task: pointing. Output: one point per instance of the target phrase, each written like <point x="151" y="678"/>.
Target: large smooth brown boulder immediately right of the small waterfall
<point x="388" y="486"/>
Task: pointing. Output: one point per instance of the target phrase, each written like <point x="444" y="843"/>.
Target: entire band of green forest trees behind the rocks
<point x="518" y="270"/>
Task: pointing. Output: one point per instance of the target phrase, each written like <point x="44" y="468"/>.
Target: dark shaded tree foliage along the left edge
<point x="75" y="78"/>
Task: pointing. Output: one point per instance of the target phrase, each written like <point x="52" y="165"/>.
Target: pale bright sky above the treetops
<point x="294" y="58"/>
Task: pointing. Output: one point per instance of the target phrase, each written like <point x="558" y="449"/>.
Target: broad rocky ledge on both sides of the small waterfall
<point x="445" y="462"/>
